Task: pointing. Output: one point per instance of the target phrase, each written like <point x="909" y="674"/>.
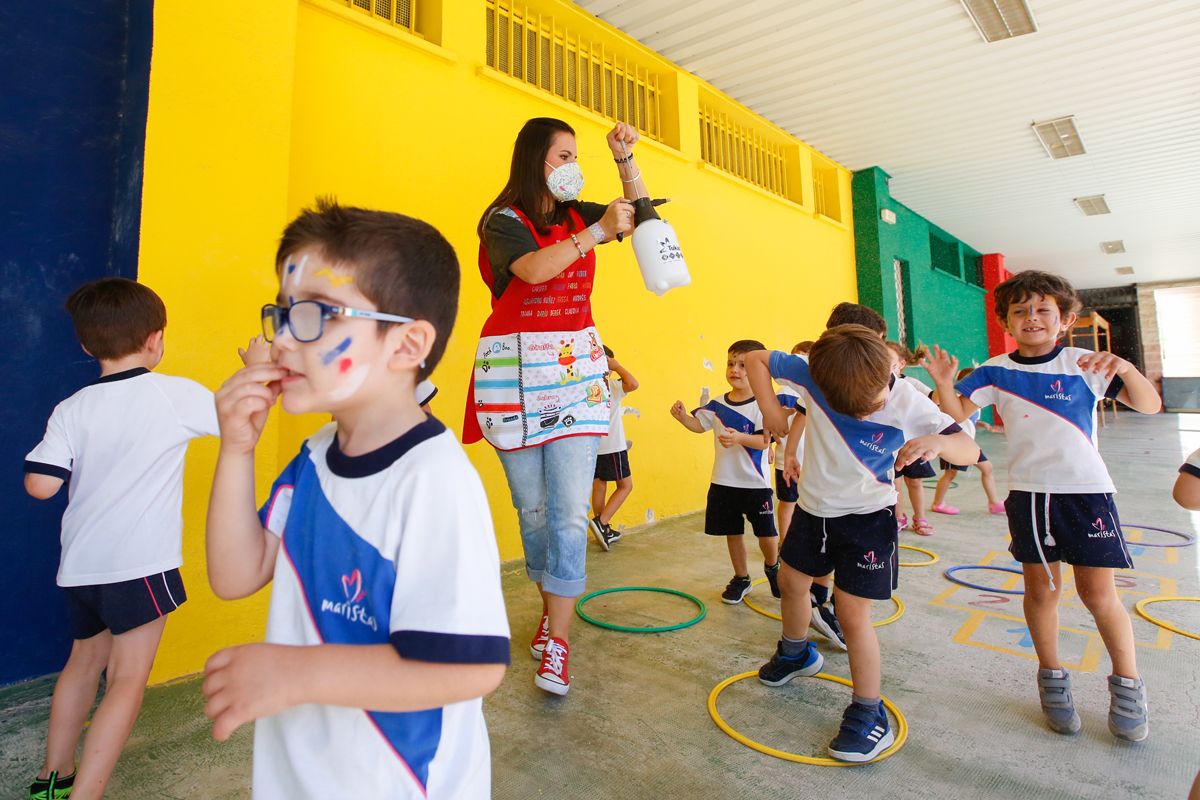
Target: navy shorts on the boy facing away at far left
<point x="122" y="607"/>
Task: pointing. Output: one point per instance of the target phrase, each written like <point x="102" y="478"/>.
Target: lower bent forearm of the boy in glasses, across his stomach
<point x="250" y="682"/>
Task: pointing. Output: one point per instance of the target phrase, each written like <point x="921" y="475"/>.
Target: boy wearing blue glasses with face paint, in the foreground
<point x="387" y="624"/>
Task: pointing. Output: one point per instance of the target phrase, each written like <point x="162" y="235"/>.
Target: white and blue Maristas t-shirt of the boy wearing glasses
<point x="393" y="548"/>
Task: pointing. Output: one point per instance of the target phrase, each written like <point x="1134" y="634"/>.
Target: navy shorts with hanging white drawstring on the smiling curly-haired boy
<point x="1084" y="530"/>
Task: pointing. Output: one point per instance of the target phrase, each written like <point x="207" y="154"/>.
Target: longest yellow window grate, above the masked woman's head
<point x="541" y="51"/>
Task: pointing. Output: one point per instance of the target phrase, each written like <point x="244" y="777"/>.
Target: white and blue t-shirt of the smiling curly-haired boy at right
<point x="1049" y="410"/>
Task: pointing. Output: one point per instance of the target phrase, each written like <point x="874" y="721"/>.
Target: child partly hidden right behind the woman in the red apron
<point x="613" y="459"/>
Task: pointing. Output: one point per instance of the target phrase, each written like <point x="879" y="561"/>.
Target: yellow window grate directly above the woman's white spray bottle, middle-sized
<point x="736" y="142"/>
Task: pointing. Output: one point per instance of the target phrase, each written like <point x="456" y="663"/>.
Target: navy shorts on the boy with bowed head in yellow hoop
<point x="859" y="549"/>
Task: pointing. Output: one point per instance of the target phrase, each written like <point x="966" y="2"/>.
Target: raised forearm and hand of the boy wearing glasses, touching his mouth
<point x="241" y="554"/>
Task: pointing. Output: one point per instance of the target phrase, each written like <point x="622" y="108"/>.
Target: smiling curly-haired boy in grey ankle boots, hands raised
<point x="1060" y="504"/>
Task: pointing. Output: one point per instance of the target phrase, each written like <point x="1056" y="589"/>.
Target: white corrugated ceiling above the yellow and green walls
<point x="911" y="87"/>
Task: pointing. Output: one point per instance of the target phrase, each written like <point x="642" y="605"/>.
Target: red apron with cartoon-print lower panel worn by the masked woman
<point x="539" y="365"/>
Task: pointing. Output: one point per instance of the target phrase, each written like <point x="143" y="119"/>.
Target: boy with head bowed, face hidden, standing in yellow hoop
<point x="862" y="426"/>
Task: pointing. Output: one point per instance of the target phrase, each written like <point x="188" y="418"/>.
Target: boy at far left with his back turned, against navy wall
<point x="121" y="444"/>
